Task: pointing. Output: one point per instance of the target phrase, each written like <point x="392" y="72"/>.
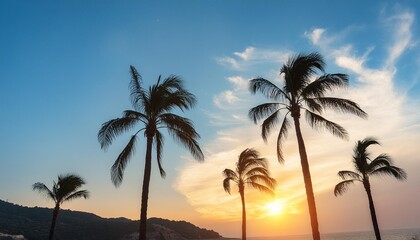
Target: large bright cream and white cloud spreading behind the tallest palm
<point x="390" y="119"/>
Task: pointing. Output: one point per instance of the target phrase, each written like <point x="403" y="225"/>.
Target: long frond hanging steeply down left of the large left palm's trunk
<point x="117" y="169"/>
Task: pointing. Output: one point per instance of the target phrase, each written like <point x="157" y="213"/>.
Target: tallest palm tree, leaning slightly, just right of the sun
<point x="298" y="94"/>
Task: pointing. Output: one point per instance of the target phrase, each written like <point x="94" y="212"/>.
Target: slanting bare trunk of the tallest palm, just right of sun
<point x="308" y="182"/>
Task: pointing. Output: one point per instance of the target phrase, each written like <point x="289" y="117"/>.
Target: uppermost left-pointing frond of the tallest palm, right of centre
<point x="267" y="88"/>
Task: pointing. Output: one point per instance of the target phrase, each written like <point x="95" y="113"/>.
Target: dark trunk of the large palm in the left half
<point x="145" y="190"/>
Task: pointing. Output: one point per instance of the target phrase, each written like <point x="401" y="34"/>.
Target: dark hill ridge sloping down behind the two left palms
<point x="34" y="223"/>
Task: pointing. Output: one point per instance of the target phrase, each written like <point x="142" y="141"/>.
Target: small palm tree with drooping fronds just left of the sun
<point x="251" y="170"/>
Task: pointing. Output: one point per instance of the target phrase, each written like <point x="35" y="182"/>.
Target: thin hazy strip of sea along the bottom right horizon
<point x="399" y="234"/>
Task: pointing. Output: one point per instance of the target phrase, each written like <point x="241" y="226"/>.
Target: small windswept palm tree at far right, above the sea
<point x="365" y="167"/>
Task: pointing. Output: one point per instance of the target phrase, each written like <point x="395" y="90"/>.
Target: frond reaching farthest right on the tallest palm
<point x="341" y="105"/>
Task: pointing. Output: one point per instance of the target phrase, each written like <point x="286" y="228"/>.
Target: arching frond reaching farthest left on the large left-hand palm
<point x="113" y="128"/>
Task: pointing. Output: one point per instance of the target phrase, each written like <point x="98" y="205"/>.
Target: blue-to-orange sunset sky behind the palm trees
<point x="64" y="70"/>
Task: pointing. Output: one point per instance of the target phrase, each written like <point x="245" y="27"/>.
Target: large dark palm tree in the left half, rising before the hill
<point x="152" y="111"/>
